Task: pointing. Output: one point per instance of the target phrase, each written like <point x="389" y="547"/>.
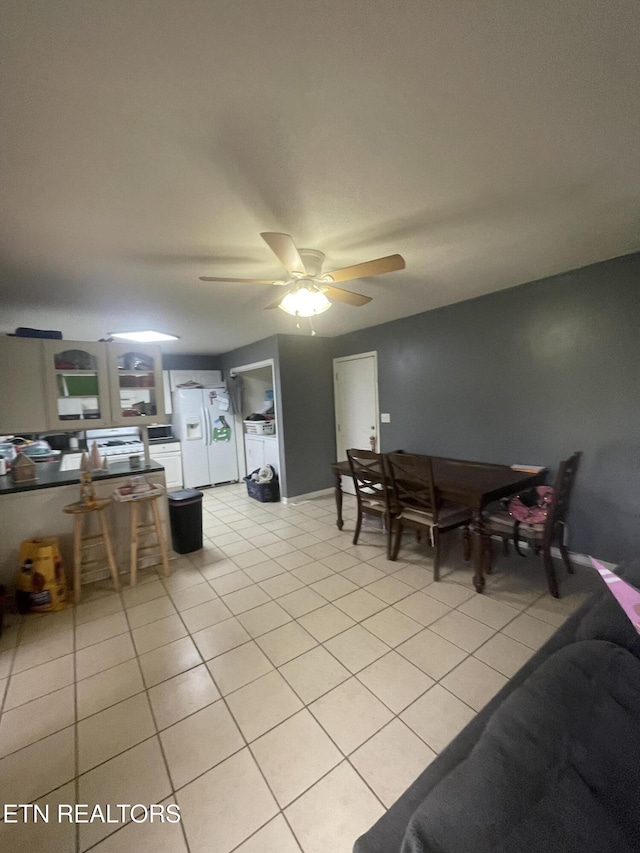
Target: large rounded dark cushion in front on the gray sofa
<point x="556" y="768"/>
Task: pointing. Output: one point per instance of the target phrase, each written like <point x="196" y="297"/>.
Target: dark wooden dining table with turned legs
<point x="472" y="484"/>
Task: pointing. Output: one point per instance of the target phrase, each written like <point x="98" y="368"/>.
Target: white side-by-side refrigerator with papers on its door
<point x="203" y="421"/>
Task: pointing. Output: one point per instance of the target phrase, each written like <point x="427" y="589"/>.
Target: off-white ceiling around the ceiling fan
<point x="147" y="142"/>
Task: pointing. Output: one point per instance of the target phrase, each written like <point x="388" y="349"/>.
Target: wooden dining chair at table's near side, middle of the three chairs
<point x="419" y="506"/>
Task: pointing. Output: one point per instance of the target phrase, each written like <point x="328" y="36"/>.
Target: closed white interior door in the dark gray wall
<point x="355" y="382"/>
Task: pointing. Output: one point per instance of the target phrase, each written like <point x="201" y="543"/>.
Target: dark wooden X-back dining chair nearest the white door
<point x="373" y="490"/>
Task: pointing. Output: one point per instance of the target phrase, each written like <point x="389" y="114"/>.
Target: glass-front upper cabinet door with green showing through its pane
<point x="76" y="385"/>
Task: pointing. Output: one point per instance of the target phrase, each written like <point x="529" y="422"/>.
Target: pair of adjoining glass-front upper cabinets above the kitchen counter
<point x="93" y="384"/>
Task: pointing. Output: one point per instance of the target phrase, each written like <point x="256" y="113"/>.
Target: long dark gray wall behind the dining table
<point x="527" y="375"/>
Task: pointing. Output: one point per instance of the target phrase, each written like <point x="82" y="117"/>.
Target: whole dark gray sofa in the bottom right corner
<point x="551" y="764"/>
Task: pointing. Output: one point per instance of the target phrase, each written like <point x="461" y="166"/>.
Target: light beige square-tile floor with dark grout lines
<point x="283" y="687"/>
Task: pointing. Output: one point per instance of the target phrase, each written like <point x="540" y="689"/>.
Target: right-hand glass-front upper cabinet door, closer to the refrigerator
<point x="135" y="377"/>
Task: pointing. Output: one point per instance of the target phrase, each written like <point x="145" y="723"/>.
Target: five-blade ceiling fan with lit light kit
<point x="309" y="289"/>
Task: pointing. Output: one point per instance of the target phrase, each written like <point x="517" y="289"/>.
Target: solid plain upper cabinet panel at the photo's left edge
<point x="23" y="406"/>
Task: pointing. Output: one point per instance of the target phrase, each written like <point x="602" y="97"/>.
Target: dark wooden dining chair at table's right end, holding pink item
<point x="541" y="537"/>
